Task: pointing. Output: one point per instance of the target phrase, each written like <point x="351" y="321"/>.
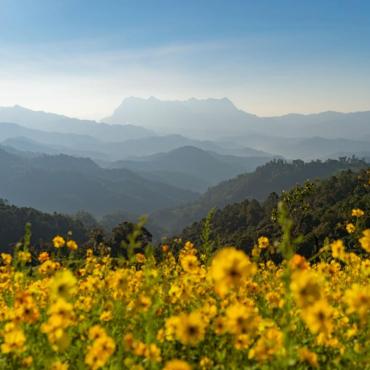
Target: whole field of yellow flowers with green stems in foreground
<point x="192" y="309"/>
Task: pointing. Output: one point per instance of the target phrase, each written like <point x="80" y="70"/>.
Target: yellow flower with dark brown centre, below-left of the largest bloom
<point x="191" y="328"/>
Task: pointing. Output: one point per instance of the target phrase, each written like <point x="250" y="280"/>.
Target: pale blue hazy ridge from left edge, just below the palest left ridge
<point x="39" y="141"/>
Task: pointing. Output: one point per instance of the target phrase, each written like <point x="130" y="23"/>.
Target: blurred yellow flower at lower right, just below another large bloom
<point x="318" y="317"/>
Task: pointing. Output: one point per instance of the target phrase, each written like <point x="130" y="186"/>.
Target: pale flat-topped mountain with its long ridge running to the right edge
<point x="216" y="118"/>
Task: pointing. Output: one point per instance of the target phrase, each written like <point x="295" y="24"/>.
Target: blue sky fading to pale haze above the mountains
<point x="270" y="57"/>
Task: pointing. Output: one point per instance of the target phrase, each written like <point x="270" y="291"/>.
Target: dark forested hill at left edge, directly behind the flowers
<point x="44" y="226"/>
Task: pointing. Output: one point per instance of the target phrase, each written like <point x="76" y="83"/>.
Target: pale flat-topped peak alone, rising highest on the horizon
<point x="196" y="117"/>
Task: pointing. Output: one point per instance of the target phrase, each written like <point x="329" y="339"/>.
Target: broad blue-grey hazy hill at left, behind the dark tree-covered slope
<point x="67" y="184"/>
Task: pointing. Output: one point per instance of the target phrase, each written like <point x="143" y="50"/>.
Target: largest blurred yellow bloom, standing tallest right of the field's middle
<point x="229" y="267"/>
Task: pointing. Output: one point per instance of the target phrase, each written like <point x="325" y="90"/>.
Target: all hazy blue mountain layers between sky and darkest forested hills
<point x="153" y="156"/>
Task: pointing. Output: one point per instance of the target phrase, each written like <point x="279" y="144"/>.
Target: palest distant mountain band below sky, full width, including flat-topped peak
<point x="142" y="127"/>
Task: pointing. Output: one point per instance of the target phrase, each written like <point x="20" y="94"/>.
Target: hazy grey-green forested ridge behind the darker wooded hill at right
<point x="275" y="176"/>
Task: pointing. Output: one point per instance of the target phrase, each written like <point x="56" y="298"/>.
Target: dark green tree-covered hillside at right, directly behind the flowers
<point x="320" y="209"/>
